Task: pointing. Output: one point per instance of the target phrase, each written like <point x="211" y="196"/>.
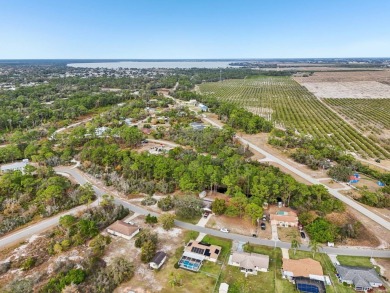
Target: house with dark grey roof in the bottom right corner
<point x="363" y="279"/>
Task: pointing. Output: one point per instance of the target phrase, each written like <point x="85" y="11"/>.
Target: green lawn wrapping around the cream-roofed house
<point x="270" y="281"/>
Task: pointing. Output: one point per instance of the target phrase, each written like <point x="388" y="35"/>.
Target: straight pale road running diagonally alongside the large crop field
<point x="307" y="177"/>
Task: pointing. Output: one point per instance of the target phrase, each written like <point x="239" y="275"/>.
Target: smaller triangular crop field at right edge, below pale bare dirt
<point x="366" y="114"/>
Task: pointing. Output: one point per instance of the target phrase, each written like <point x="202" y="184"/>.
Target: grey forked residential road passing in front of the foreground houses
<point x="81" y="179"/>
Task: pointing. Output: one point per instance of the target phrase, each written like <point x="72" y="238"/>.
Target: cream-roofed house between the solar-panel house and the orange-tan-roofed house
<point x="250" y="263"/>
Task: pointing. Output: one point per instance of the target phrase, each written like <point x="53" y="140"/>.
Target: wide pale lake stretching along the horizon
<point x="154" y="64"/>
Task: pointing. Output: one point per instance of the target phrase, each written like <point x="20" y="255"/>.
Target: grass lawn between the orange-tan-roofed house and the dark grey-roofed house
<point x="328" y="269"/>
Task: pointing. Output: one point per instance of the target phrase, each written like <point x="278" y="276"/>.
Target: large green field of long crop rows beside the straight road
<point x="288" y="104"/>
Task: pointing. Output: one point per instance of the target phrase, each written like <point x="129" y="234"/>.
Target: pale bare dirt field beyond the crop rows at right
<point x="356" y="90"/>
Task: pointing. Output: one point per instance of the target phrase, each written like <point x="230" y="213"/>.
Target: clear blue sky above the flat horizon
<point x="194" y="29"/>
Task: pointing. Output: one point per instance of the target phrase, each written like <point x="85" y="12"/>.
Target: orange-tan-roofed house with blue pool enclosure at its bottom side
<point x="305" y="267"/>
